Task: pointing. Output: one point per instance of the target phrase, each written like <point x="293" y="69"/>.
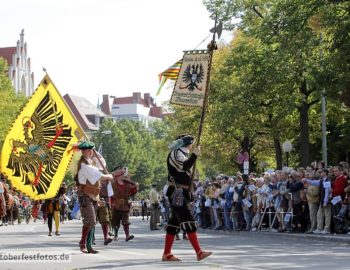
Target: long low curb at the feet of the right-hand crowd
<point x="345" y="238"/>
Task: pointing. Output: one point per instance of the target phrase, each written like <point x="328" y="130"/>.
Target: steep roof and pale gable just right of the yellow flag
<point x="81" y="108"/>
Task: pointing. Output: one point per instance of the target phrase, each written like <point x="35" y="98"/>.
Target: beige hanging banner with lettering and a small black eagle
<point x="191" y="83"/>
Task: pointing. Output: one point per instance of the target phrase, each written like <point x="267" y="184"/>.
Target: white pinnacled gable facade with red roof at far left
<point x="19" y="71"/>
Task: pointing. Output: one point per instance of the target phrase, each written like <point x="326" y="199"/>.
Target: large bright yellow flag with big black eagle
<point x="38" y="148"/>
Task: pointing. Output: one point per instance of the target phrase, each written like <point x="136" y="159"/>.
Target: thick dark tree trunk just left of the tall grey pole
<point x="304" y="128"/>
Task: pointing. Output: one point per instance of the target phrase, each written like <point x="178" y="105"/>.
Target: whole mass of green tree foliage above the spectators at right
<point x="266" y="85"/>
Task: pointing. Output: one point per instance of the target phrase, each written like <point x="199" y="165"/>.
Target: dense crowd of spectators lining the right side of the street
<point x="303" y="200"/>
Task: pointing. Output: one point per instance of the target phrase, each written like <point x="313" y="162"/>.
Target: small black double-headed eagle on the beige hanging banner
<point x="193" y="75"/>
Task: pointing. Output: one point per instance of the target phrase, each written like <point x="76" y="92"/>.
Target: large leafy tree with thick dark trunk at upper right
<point x="288" y="32"/>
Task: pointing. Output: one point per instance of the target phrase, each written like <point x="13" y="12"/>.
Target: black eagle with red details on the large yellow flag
<point x="36" y="159"/>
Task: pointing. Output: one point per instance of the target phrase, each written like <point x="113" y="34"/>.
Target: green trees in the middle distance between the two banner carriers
<point x="131" y="145"/>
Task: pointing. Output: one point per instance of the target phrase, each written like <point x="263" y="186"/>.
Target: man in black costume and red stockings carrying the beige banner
<point x="179" y="164"/>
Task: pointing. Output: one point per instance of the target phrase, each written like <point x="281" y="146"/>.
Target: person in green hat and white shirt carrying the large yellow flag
<point x="88" y="180"/>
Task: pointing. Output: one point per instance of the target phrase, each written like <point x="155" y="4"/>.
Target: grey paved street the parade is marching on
<point x="238" y="250"/>
